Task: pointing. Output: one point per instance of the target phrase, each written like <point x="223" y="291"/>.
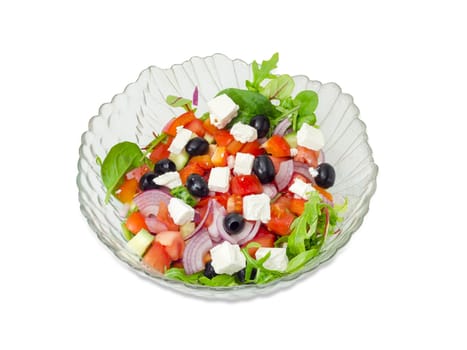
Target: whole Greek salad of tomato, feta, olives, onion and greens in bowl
<point x="237" y="195"/>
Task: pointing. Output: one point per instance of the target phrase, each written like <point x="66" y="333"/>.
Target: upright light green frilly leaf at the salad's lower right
<point x="304" y="226"/>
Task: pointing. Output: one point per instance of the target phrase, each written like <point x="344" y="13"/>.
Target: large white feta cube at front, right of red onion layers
<point x="227" y="258"/>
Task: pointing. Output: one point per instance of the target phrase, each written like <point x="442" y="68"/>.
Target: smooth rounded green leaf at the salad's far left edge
<point x="121" y="158"/>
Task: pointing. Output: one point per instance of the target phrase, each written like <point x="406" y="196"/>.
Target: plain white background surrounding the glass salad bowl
<point x="399" y="283"/>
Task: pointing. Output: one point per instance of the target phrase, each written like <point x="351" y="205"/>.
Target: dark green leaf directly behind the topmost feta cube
<point x="250" y="104"/>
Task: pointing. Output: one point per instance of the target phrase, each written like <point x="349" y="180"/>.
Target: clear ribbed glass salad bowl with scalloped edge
<point x="141" y="109"/>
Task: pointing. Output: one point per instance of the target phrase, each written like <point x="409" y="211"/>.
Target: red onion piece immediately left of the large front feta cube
<point x="195" y="250"/>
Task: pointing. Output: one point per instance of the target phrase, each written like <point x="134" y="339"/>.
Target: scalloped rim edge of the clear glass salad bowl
<point x="234" y="292"/>
